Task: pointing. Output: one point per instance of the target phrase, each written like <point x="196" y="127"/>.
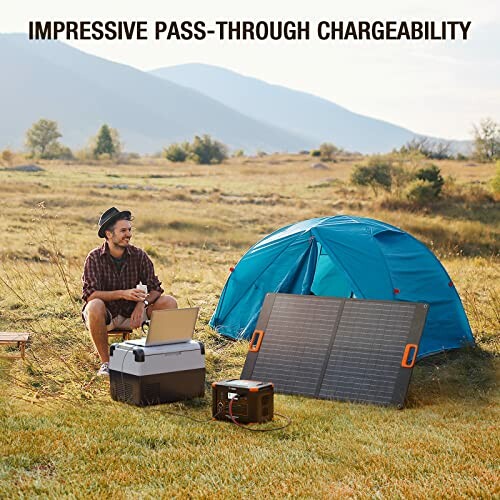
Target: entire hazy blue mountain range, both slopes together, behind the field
<point x="150" y="110"/>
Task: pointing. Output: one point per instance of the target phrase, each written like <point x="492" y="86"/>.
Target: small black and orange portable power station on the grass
<point x="252" y="401"/>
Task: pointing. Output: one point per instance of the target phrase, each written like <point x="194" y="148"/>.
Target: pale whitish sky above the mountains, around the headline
<point x="437" y="88"/>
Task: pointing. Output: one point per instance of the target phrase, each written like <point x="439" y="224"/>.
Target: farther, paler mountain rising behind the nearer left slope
<point x="304" y="114"/>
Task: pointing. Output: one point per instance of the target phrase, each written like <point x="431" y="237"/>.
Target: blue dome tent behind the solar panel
<point x="344" y="256"/>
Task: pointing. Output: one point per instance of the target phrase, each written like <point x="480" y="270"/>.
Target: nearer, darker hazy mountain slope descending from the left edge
<point x="43" y="79"/>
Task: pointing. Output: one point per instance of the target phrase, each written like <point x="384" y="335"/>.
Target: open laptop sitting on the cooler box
<point x="169" y="326"/>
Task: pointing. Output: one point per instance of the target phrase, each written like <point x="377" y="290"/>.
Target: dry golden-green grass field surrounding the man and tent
<point x="62" y="435"/>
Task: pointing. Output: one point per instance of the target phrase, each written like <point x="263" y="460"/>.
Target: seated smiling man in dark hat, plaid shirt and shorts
<point x="110" y="277"/>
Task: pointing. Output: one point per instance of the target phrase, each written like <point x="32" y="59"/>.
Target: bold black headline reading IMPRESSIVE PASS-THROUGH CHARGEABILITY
<point x="249" y="30"/>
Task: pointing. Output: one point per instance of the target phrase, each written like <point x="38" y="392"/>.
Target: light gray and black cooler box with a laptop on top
<point x="158" y="374"/>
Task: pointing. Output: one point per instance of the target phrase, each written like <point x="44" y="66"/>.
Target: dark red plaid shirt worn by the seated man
<point x="100" y="274"/>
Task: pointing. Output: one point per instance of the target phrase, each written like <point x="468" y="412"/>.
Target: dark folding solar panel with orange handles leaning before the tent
<point x="334" y="348"/>
